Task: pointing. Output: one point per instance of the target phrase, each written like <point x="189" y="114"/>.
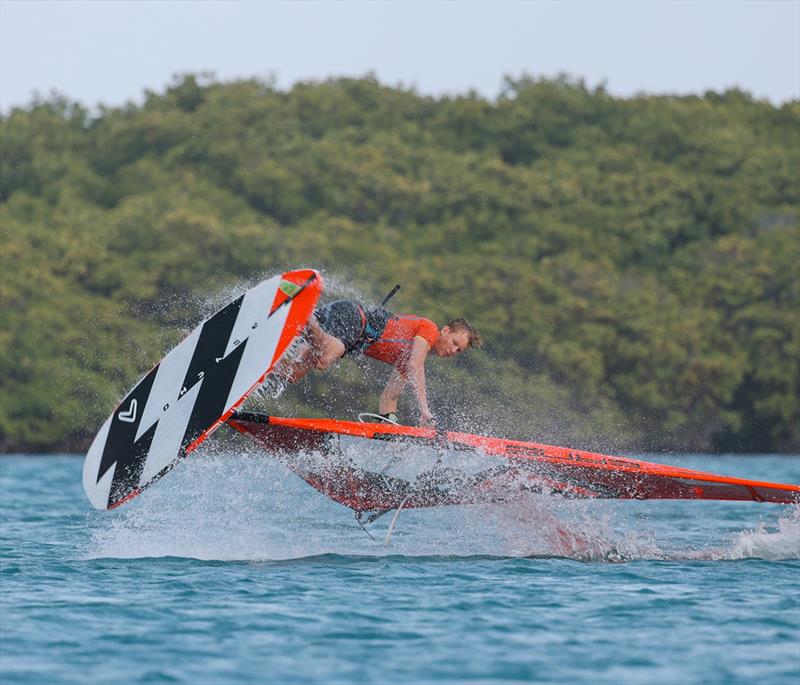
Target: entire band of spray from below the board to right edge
<point x="231" y="502"/>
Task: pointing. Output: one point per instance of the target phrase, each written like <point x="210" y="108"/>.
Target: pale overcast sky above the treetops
<point x="110" y="51"/>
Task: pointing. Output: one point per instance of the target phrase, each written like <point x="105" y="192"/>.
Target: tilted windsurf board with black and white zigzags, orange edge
<point x="192" y="390"/>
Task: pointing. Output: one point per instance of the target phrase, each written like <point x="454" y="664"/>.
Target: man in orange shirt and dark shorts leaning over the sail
<point x="401" y="340"/>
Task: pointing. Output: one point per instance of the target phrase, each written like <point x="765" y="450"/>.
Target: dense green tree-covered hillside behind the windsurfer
<point x="632" y="263"/>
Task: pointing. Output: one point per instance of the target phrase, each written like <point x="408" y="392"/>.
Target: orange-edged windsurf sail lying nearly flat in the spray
<point x="511" y="467"/>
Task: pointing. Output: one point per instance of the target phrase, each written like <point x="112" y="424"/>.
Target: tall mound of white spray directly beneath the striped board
<point x="217" y="505"/>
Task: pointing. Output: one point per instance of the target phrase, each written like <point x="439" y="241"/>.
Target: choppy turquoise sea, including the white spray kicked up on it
<point x="231" y="570"/>
